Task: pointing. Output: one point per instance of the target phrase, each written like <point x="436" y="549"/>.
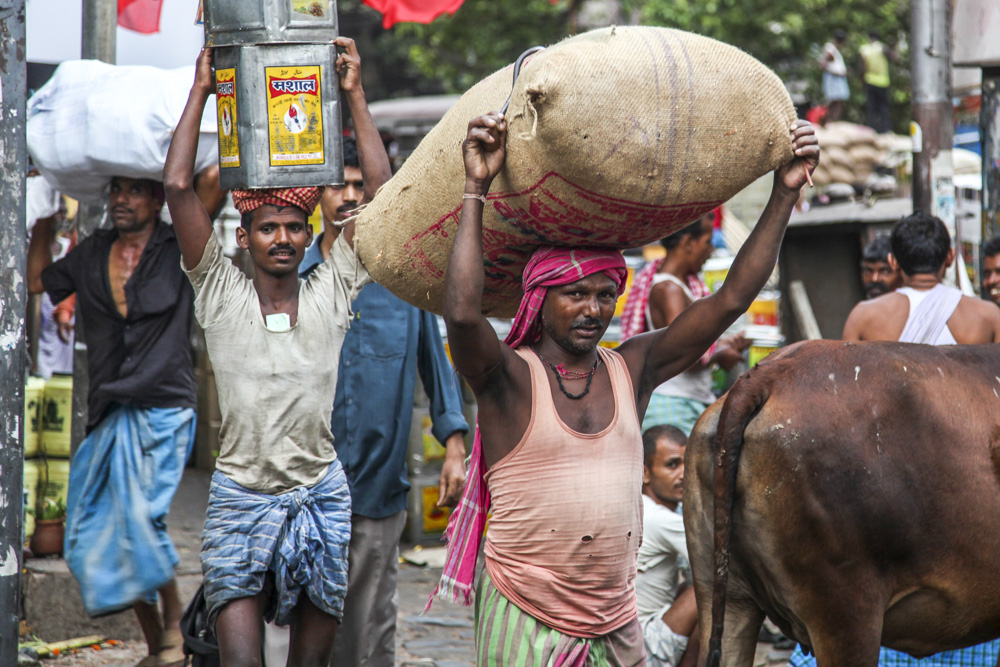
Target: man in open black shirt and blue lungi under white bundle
<point x="136" y="307"/>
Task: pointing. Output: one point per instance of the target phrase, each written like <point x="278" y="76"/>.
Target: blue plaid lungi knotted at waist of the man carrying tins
<point x="300" y="537"/>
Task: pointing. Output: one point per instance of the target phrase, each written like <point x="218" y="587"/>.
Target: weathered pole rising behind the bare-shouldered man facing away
<point x="930" y="65"/>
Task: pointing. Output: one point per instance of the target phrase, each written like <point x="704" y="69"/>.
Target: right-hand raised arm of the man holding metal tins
<point x="375" y="167"/>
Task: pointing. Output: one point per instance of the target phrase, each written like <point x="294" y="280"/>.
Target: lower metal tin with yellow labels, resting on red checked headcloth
<point x="279" y="116"/>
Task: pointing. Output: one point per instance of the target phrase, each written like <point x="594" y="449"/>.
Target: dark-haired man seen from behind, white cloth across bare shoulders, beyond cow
<point x="923" y="310"/>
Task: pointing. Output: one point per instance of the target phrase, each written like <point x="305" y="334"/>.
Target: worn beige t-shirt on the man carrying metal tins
<point x="275" y="389"/>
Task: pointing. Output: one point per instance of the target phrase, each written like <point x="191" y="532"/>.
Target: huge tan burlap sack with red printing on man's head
<point x="615" y="138"/>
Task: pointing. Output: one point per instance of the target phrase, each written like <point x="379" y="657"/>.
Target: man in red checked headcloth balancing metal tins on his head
<point x="278" y="526"/>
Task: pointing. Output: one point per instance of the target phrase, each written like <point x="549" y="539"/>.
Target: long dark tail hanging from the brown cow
<point x="744" y="400"/>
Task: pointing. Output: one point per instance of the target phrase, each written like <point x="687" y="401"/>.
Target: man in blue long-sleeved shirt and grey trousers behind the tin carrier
<point x="388" y="343"/>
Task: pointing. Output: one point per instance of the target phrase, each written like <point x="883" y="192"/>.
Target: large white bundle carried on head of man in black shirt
<point x="92" y="121"/>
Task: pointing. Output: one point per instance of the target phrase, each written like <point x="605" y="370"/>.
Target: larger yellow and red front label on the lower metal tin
<point x="294" y="115"/>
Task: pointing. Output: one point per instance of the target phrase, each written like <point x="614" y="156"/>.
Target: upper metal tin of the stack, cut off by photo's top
<point x="239" y="22"/>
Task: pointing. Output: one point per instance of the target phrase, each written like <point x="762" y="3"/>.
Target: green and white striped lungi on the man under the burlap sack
<point x="506" y="636"/>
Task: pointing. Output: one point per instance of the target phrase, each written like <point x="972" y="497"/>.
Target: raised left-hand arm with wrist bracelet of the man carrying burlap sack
<point x="475" y="348"/>
